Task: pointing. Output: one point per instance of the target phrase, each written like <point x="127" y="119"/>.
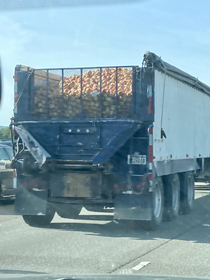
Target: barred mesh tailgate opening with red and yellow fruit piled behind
<point x="89" y="93"/>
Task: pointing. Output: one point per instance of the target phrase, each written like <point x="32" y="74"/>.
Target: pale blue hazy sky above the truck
<point x="104" y="35"/>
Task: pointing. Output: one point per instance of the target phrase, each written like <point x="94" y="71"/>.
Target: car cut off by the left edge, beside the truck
<point x="7" y="183"/>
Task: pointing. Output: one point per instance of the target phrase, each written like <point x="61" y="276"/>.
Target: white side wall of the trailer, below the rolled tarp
<point x="184" y="114"/>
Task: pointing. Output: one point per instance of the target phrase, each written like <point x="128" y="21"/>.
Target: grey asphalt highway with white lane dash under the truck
<point x="95" y="244"/>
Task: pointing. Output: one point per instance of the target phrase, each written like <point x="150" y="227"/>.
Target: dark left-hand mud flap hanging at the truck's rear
<point x="30" y="202"/>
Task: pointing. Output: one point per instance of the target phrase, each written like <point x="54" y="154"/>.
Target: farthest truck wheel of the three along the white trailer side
<point x="187" y="192"/>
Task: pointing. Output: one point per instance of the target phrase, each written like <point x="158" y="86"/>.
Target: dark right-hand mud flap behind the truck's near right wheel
<point x="133" y="207"/>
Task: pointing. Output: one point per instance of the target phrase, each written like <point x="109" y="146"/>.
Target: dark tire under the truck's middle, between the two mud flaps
<point x="68" y="211"/>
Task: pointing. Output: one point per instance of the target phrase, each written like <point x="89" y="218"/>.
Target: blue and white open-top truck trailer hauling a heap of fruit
<point x="130" y="138"/>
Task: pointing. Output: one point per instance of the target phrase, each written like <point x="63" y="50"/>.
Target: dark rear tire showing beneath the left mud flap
<point x="40" y="220"/>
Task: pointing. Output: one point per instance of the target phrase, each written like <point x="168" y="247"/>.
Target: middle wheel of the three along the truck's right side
<point x="171" y="197"/>
